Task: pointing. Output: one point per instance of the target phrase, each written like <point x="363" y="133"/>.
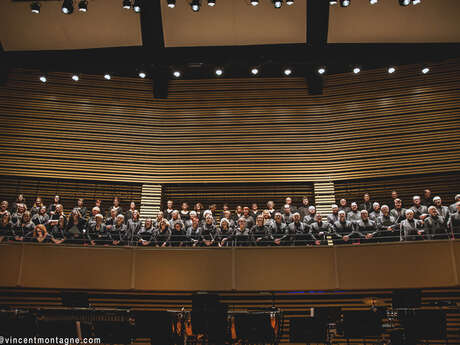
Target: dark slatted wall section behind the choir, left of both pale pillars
<point x="69" y="191"/>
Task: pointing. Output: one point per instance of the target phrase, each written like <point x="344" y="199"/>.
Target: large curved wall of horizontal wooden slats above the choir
<point x="232" y="130"/>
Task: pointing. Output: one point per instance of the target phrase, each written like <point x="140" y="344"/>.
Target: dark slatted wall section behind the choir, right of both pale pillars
<point x="444" y="185"/>
